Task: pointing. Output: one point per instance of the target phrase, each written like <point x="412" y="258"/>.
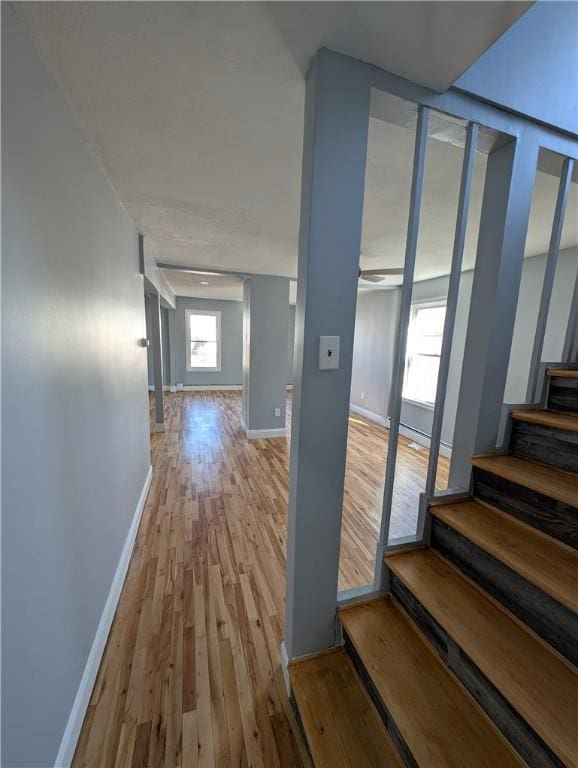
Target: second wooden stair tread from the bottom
<point x="437" y="719"/>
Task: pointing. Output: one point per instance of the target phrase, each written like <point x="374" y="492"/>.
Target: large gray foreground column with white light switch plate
<point x="334" y="155"/>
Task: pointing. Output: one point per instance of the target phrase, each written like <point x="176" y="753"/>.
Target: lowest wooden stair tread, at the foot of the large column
<point x="341" y="723"/>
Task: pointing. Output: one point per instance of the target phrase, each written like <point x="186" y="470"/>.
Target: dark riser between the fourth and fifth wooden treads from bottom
<point x="553" y="517"/>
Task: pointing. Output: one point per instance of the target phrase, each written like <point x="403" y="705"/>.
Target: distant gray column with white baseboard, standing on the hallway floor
<point x="265" y="351"/>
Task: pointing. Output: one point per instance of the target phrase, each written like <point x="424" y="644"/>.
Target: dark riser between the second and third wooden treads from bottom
<point x="515" y="729"/>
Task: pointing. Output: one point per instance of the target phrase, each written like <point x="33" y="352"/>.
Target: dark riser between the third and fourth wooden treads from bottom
<point x="555" y="623"/>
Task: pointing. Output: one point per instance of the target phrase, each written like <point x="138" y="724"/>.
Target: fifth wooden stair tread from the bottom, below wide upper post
<point x="550" y="481"/>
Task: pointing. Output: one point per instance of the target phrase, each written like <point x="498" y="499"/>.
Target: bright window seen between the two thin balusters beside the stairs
<point x="424" y="344"/>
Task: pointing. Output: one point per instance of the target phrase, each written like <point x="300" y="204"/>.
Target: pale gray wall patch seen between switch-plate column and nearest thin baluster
<point x="375" y="327"/>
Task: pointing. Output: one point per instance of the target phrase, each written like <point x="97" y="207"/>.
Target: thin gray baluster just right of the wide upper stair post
<point x="548" y="284"/>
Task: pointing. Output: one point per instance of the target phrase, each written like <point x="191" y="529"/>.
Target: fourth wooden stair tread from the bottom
<point x="545" y="562"/>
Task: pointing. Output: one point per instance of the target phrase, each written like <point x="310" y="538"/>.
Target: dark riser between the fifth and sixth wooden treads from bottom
<point x="545" y="444"/>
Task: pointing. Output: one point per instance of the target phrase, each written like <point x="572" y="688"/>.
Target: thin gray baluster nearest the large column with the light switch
<point x="401" y="338"/>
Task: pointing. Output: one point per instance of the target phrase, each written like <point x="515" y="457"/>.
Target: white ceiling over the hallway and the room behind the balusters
<point x="195" y="112"/>
